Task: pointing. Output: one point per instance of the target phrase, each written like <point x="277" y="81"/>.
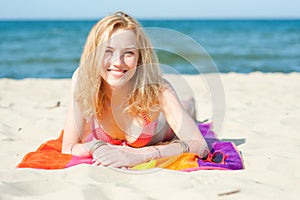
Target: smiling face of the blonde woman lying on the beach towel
<point x="120" y="58"/>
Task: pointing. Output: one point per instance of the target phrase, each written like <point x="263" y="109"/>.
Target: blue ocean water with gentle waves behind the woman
<point x="52" y="49"/>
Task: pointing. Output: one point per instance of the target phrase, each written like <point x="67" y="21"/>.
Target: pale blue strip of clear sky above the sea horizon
<point x="149" y="9"/>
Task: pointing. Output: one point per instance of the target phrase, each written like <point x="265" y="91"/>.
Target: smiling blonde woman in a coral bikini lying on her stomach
<point x="122" y="111"/>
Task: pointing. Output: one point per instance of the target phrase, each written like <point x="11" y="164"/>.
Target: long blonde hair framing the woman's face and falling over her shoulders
<point x="89" y="93"/>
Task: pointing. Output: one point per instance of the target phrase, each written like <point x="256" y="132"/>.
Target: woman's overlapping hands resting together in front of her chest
<point x="118" y="156"/>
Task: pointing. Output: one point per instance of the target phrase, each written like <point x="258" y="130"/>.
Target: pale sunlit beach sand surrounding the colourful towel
<point x="262" y="118"/>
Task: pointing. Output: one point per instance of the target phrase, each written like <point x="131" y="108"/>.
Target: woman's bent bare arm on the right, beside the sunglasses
<point x="182" y="124"/>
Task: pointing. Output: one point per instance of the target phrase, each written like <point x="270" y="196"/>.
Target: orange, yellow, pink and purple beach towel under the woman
<point x="49" y="156"/>
